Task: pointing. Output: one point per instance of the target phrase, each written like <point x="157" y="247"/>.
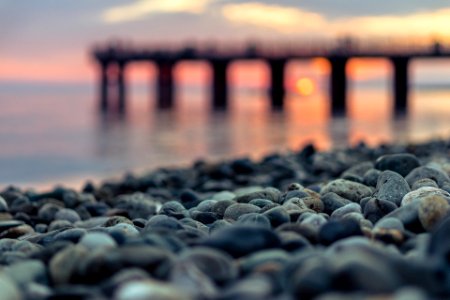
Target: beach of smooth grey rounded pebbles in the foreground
<point x="352" y="223"/>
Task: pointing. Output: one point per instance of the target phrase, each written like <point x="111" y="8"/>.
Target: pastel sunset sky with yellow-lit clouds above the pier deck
<point x="49" y="40"/>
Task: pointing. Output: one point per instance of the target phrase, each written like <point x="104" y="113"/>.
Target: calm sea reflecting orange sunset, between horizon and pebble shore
<point x="53" y="134"/>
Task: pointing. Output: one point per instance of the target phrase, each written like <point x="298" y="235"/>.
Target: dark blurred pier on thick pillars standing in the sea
<point x="113" y="59"/>
